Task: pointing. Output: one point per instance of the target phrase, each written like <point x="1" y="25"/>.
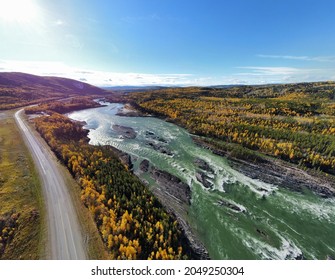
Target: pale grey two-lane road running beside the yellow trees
<point x="64" y="230"/>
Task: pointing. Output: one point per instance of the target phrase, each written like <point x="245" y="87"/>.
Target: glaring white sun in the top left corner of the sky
<point x="17" y="10"/>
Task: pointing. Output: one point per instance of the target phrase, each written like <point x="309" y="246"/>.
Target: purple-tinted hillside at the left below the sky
<point x="20" y="89"/>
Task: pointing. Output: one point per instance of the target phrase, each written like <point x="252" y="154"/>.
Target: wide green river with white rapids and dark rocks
<point x="266" y="222"/>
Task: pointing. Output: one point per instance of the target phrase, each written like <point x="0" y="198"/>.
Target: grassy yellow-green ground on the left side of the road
<point x="22" y="224"/>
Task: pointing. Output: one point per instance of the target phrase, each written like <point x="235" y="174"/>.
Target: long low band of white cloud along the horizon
<point x="243" y="75"/>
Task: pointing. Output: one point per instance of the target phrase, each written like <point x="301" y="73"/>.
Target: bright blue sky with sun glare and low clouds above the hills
<point x="170" y="42"/>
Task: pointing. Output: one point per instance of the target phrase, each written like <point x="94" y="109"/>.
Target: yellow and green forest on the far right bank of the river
<point x="295" y="123"/>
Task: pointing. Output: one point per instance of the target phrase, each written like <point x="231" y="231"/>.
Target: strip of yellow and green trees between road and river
<point x="132" y="222"/>
